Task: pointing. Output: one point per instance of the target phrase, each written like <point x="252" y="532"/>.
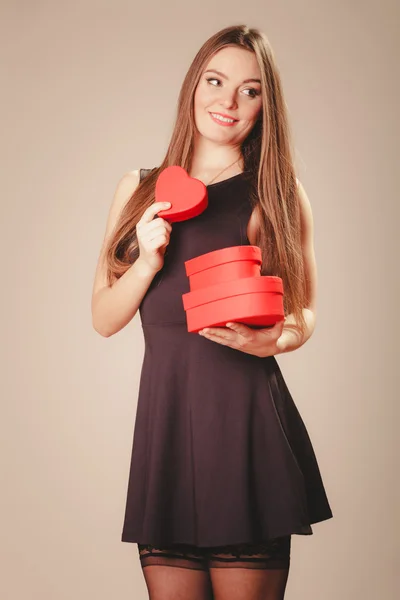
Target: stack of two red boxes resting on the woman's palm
<point x="226" y="285"/>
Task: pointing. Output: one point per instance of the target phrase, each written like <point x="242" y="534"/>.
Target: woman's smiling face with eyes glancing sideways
<point x="228" y="92"/>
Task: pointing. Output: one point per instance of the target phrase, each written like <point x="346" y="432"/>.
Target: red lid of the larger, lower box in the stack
<point x="228" y="289"/>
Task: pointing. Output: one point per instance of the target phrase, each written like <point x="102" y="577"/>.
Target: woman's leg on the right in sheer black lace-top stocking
<point x="250" y="572"/>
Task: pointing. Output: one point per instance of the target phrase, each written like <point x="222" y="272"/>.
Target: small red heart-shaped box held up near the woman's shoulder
<point x="188" y="196"/>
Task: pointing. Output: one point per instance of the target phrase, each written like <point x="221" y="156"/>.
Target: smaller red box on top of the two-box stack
<point x="227" y="264"/>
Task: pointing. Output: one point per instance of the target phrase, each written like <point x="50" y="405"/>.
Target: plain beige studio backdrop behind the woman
<point x="89" y="92"/>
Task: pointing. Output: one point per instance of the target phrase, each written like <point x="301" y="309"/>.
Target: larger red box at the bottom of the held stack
<point x="254" y="301"/>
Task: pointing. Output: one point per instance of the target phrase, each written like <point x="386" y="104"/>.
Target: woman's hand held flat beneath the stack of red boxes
<point x="259" y="342"/>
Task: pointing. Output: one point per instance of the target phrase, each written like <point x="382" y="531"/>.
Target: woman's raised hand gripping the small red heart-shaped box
<point x="153" y="236"/>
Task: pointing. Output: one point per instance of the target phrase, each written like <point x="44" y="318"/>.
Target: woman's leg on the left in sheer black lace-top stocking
<point x="177" y="572"/>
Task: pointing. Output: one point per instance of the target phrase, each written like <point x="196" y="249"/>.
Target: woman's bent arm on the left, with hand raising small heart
<point x="113" y="307"/>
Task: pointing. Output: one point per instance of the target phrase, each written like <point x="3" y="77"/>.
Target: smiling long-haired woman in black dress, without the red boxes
<point x="222" y="469"/>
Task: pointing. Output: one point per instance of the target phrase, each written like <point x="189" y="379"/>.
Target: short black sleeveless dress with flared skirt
<point x="220" y="453"/>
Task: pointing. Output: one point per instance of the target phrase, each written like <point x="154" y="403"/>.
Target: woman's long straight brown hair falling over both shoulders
<point x="268" y="162"/>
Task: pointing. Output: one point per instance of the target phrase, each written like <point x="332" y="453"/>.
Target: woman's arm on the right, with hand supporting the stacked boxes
<point x="285" y="336"/>
